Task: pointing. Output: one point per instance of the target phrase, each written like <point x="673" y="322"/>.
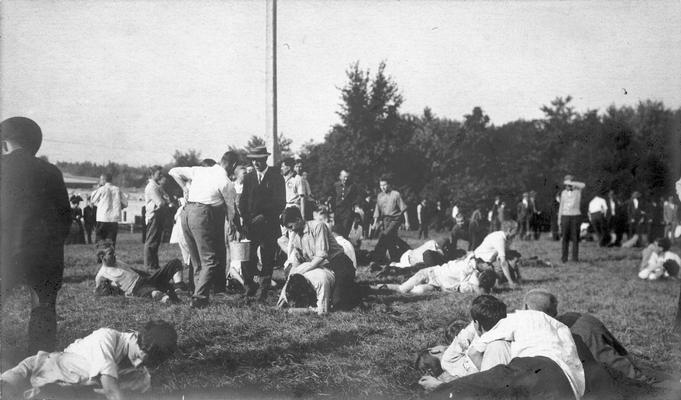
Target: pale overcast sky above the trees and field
<point x="131" y="81"/>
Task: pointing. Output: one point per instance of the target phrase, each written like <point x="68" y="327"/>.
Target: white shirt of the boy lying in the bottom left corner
<point x="104" y="349"/>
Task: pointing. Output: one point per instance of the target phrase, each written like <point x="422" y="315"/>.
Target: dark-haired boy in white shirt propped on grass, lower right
<point x="455" y="363"/>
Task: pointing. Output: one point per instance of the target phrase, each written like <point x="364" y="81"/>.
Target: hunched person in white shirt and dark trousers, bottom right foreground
<point x="544" y="364"/>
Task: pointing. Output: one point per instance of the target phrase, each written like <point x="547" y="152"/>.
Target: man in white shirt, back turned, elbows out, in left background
<point x="109" y="200"/>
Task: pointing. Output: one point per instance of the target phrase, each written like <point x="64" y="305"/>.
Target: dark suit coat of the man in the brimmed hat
<point x="267" y="198"/>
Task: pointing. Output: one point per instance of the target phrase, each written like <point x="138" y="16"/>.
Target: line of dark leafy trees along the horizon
<point x="470" y="161"/>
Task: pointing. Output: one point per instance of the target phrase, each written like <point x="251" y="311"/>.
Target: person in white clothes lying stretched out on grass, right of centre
<point x="464" y="275"/>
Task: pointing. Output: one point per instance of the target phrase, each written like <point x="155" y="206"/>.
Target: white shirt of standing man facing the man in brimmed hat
<point x="209" y="185"/>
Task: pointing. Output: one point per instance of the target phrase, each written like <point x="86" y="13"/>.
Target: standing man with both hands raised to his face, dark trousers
<point x="570" y="215"/>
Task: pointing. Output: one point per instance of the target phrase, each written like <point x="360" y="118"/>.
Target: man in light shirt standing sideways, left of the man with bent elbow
<point x="156" y="205"/>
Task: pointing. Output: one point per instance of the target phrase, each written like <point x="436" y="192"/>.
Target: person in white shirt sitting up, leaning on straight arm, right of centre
<point x="495" y="247"/>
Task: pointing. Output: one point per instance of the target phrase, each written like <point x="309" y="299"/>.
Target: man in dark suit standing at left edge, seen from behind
<point x="35" y="218"/>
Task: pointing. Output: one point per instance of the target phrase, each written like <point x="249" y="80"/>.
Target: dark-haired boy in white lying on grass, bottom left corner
<point x="107" y="360"/>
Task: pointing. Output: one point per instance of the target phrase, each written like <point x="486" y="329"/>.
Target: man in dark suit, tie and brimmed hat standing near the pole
<point x="261" y="203"/>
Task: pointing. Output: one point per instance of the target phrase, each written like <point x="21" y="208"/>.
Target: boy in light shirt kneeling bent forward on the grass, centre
<point x="313" y="247"/>
